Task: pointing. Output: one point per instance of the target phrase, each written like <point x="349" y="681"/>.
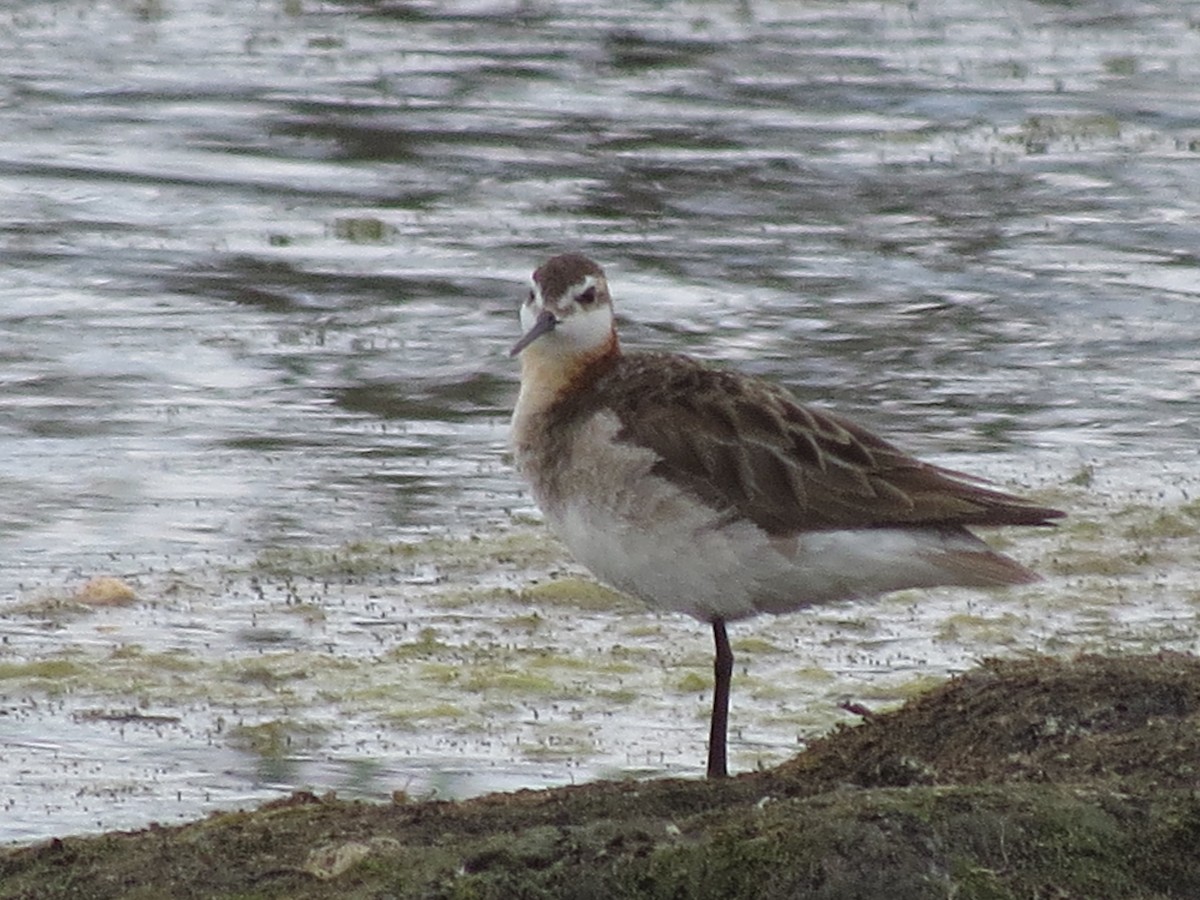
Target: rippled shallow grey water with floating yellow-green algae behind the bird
<point x="261" y="269"/>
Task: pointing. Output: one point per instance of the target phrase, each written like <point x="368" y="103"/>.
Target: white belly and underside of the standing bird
<point x="644" y="536"/>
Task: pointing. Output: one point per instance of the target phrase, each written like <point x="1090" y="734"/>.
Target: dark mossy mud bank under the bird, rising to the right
<point x="1022" y="778"/>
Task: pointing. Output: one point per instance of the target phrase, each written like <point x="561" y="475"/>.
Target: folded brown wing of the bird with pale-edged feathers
<point x="745" y="446"/>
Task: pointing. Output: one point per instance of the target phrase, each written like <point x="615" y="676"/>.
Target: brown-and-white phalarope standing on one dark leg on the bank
<point x="716" y="494"/>
